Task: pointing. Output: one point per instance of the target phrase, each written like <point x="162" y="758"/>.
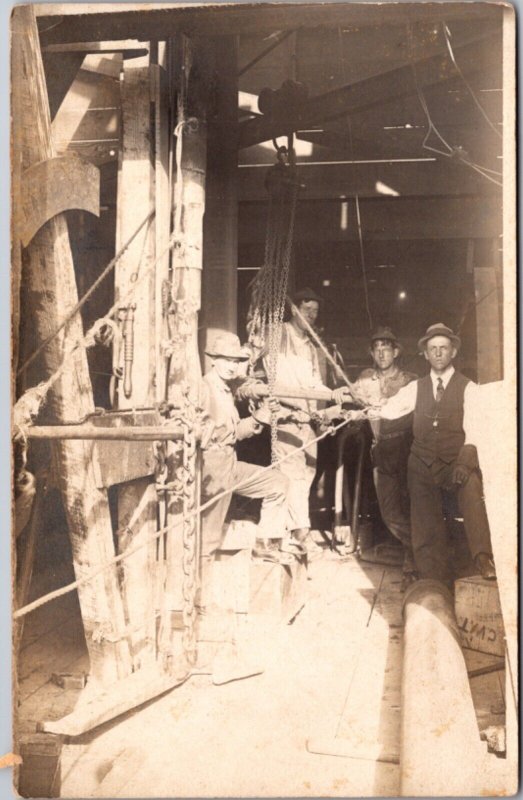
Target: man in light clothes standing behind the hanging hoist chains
<point x="298" y="366"/>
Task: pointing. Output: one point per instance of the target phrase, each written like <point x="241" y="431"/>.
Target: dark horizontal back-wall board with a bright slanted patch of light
<point x="328" y="181"/>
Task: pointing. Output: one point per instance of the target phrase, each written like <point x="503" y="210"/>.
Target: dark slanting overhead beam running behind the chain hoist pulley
<point x="365" y="94"/>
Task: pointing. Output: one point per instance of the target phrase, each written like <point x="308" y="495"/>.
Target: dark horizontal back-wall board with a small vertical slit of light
<point x="387" y="218"/>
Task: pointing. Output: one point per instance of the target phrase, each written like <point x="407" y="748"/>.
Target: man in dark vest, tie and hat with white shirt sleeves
<point x="443" y="457"/>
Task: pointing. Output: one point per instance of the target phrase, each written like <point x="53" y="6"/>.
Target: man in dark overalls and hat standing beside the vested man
<point x="391" y="439"/>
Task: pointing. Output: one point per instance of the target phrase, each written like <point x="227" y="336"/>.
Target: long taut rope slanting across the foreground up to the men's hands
<point x="54" y="595"/>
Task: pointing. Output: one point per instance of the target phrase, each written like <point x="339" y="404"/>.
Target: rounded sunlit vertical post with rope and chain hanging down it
<point x="189" y="175"/>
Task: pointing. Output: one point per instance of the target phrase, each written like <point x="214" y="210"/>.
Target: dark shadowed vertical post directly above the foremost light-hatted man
<point x="220" y="286"/>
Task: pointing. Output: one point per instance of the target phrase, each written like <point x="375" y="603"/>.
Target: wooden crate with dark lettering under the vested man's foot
<point x="478" y="612"/>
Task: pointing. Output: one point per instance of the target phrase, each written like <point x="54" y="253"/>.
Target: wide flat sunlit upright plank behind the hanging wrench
<point x="137" y="500"/>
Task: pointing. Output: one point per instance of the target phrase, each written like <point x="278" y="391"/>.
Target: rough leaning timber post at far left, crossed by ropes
<point x="51" y="292"/>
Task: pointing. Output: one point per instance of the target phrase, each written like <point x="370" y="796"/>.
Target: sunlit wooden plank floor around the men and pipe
<point x="331" y="678"/>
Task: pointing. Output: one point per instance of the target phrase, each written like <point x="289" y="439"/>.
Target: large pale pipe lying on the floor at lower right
<point x="441" y="752"/>
